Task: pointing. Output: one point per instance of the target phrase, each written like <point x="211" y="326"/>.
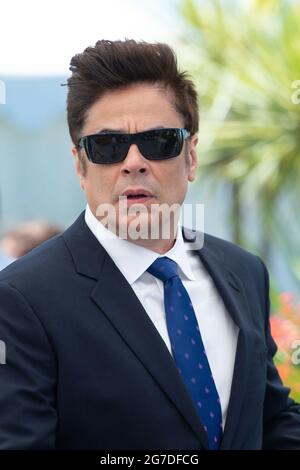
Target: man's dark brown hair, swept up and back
<point x="110" y="65"/>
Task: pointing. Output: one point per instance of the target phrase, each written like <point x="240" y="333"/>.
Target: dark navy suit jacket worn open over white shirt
<point x="87" y="369"/>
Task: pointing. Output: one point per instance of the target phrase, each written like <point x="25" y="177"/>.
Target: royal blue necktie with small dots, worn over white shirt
<point x="188" y="349"/>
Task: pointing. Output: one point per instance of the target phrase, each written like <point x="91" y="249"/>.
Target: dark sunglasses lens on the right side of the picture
<point x="160" y="144"/>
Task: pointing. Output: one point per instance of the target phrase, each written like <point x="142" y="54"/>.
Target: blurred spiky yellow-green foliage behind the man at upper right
<point x="245" y="59"/>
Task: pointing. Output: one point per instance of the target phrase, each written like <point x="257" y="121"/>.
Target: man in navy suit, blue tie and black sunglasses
<point x="137" y="342"/>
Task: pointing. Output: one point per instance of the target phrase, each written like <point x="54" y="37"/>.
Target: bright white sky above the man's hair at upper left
<point x="39" y="37"/>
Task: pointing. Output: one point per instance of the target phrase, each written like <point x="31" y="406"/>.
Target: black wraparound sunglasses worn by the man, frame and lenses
<point x="113" y="147"/>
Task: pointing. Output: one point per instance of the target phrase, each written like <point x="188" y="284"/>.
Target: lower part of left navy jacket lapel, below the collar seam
<point x="127" y="315"/>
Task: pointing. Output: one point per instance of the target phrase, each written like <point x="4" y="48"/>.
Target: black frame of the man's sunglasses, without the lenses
<point x="135" y="138"/>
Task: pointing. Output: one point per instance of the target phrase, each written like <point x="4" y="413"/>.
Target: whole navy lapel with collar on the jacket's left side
<point x="118" y="302"/>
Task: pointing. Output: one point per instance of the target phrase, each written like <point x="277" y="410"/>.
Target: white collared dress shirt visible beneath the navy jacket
<point x="218" y="331"/>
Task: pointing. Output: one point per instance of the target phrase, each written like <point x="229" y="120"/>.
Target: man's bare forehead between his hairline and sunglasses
<point x="132" y="109"/>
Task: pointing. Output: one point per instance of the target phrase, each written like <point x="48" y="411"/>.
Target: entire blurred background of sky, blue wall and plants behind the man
<point x="244" y="57"/>
